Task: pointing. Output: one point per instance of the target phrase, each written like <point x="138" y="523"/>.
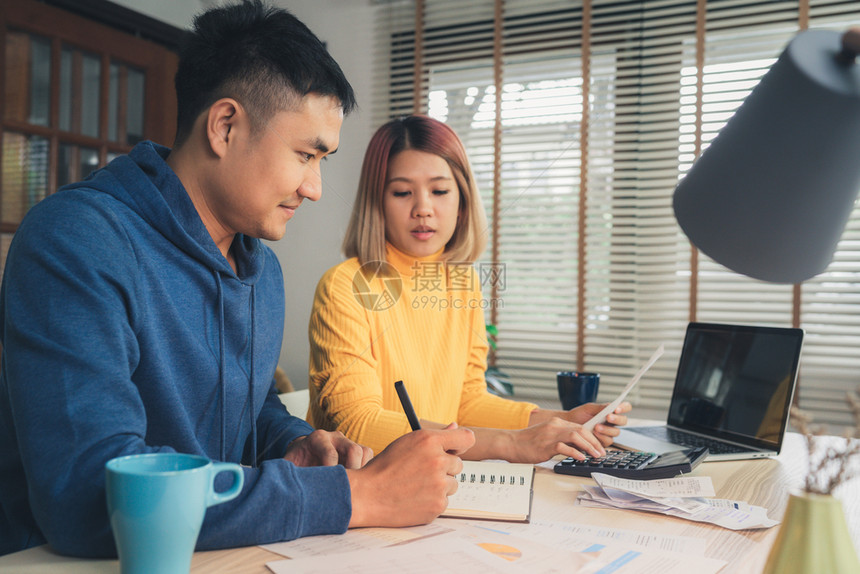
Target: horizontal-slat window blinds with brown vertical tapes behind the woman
<point x="604" y="105"/>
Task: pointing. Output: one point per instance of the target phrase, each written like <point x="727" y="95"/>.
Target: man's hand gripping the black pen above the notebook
<point x="410" y="481"/>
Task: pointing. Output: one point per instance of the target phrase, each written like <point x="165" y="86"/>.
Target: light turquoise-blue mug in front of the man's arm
<point x="156" y="503"/>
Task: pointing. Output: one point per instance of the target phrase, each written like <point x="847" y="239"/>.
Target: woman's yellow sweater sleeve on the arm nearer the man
<point x="345" y="391"/>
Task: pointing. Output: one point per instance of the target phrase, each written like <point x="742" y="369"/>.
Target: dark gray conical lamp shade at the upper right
<point x="772" y="194"/>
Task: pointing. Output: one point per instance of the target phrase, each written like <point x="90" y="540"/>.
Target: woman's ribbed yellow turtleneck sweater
<point x="424" y="325"/>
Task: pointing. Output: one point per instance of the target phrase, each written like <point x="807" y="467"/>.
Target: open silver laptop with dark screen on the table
<point x="732" y="393"/>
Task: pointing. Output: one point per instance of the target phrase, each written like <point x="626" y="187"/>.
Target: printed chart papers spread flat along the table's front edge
<point x="503" y="547"/>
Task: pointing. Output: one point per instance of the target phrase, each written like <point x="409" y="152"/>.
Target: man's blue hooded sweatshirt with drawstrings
<point x="125" y="330"/>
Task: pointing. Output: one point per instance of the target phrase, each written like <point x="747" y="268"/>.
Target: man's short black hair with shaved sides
<point x="263" y="57"/>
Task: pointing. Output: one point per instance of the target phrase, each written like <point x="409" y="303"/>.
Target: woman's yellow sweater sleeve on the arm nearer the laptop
<point x="478" y="407"/>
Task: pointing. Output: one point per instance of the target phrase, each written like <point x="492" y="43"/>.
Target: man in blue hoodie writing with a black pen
<point x="141" y="312"/>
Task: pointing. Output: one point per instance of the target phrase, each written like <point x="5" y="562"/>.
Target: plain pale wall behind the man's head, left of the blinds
<point x="312" y="242"/>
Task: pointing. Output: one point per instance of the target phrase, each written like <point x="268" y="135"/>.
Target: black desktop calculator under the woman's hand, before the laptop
<point x="636" y="464"/>
